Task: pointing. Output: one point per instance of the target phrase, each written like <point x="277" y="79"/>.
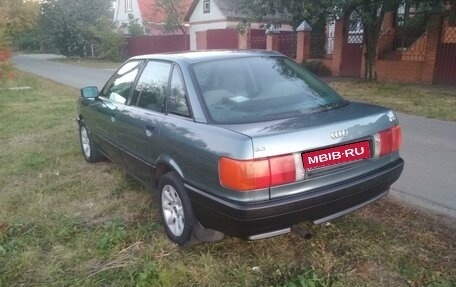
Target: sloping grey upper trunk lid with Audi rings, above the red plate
<point x="317" y="130"/>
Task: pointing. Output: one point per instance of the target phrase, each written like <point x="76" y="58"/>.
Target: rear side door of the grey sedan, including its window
<point x="140" y="122"/>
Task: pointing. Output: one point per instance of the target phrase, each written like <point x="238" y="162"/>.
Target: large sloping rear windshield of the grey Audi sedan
<point x="256" y="89"/>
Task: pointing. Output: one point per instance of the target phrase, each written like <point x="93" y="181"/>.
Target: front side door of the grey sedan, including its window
<point x="108" y="105"/>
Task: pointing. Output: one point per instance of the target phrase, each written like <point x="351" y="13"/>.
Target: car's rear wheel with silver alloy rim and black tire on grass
<point x="175" y="209"/>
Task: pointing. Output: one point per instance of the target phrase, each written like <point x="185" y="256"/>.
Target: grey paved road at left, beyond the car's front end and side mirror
<point x="73" y="76"/>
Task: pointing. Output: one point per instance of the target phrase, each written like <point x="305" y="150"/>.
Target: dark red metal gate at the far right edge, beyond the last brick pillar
<point x="446" y="57"/>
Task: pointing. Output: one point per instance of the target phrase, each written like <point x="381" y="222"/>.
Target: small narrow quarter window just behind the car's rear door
<point x="177" y="102"/>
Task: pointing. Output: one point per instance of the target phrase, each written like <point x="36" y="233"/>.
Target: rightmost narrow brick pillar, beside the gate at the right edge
<point x="432" y="44"/>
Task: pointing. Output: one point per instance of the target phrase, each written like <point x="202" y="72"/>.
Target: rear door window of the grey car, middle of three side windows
<point x="150" y="91"/>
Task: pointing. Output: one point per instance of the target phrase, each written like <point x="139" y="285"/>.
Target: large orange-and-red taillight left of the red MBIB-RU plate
<point x="246" y="175"/>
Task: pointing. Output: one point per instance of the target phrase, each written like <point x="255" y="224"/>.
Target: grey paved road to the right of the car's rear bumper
<point x="429" y="151"/>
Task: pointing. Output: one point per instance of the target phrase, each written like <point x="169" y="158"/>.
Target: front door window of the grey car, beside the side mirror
<point x="121" y="82"/>
